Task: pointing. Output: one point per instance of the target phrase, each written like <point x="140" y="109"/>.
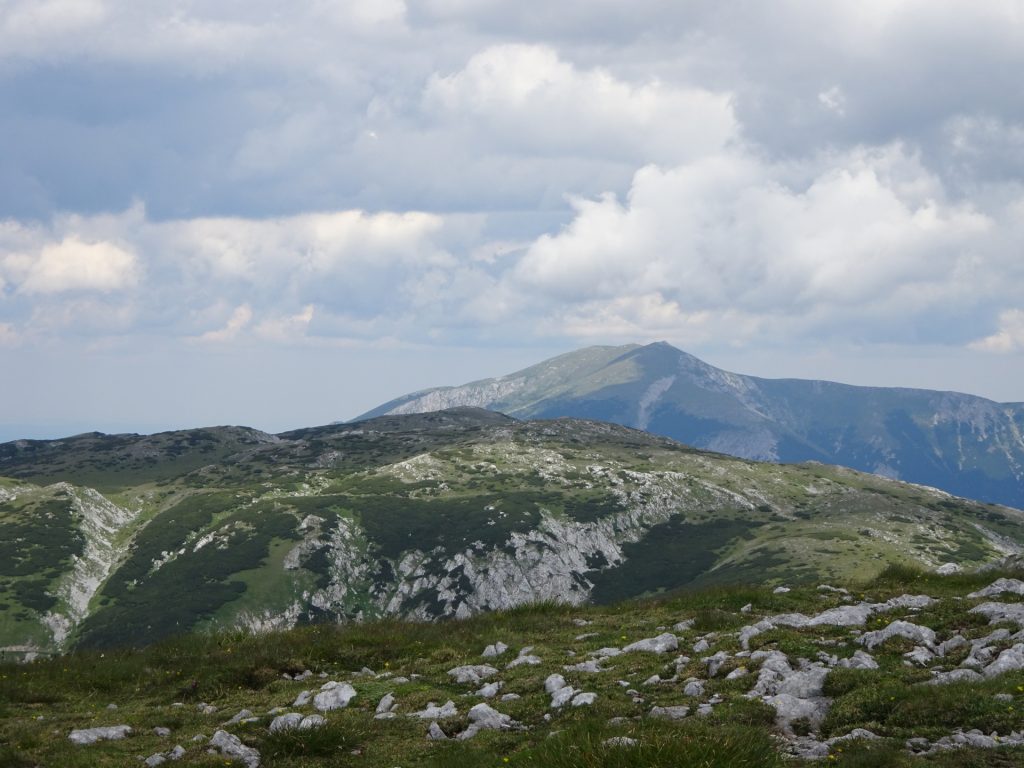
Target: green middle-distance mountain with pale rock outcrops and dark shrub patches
<point x="108" y="540"/>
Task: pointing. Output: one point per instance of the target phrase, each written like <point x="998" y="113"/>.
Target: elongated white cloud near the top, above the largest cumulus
<point x="527" y="97"/>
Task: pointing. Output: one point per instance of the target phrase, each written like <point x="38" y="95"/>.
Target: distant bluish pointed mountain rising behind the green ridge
<point x="967" y="446"/>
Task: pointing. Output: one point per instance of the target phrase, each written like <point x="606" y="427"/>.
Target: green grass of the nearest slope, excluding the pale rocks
<point x="164" y="686"/>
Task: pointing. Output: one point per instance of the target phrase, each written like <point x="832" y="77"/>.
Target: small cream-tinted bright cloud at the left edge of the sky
<point x="73" y="265"/>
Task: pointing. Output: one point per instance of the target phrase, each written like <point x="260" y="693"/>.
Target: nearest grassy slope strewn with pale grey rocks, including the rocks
<point x="908" y="670"/>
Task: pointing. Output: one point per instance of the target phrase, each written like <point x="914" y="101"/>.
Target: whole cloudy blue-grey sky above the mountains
<point x="218" y="211"/>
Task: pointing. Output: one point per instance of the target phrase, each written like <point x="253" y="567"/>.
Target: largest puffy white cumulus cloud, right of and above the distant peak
<point x="734" y="234"/>
